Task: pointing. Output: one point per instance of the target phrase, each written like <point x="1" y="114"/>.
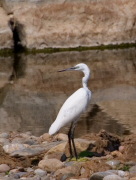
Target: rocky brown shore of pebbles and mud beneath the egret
<point x="102" y="156"/>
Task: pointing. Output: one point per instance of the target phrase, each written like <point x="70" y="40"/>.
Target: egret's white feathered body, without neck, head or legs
<point x="71" y="109"/>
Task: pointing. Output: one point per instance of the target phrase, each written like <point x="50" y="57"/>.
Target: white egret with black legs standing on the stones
<point x="73" y="107"/>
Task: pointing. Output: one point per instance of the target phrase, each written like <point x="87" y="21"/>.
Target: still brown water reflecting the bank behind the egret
<point x="32" y="91"/>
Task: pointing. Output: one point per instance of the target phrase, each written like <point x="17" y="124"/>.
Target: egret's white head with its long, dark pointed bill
<point x="79" y="67"/>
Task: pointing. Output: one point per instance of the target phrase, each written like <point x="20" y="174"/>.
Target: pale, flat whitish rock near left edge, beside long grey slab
<point x="10" y="148"/>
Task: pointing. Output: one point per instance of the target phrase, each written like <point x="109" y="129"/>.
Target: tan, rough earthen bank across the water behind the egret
<point x="43" y="24"/>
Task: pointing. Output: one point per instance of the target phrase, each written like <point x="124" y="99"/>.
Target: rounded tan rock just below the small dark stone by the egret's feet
<point x="50" y="165"/>
